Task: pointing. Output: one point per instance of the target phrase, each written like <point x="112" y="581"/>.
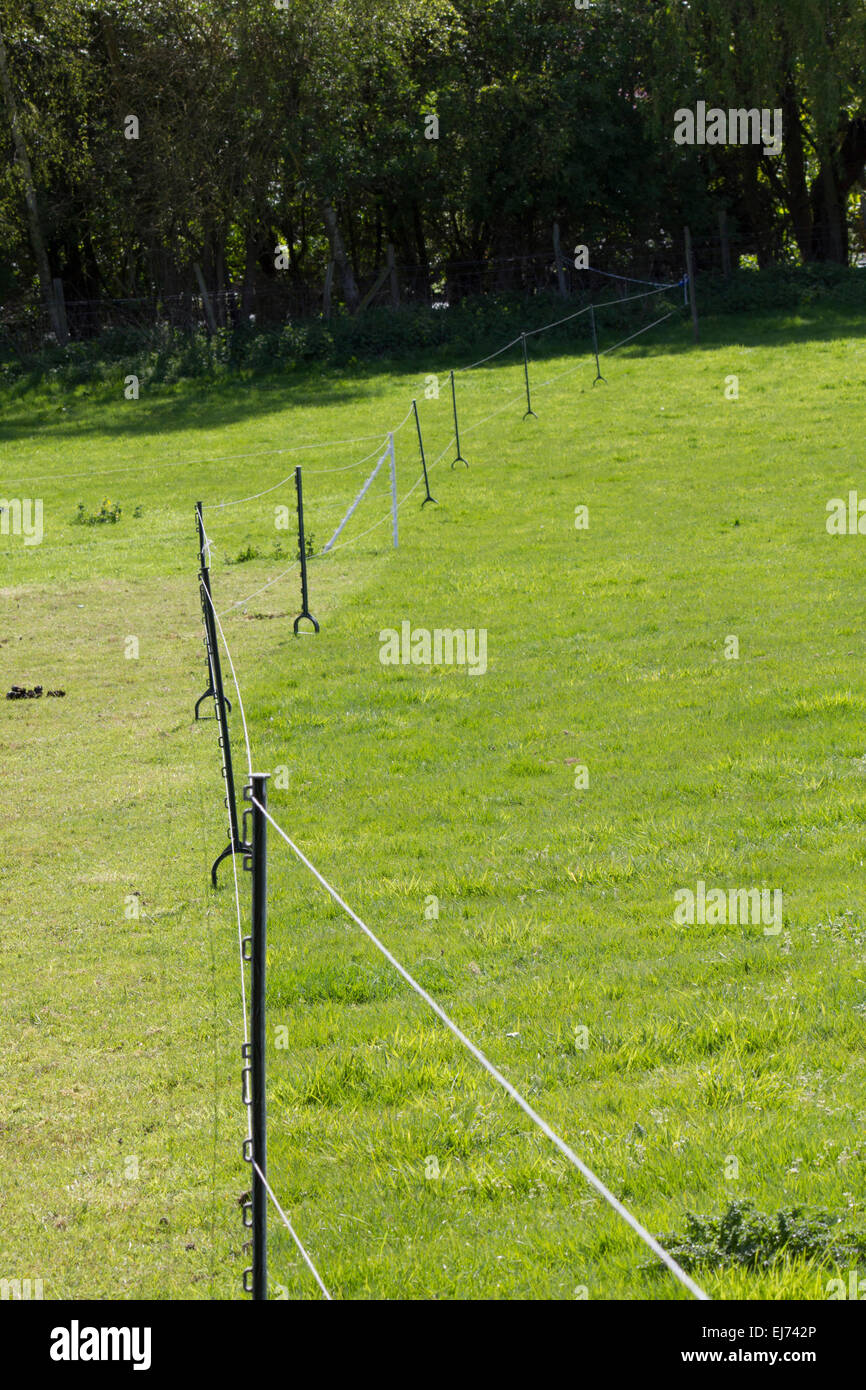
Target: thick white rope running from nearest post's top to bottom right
<point x="525" y="1106"/>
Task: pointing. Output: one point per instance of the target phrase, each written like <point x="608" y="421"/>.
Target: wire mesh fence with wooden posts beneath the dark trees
<point x="269" y="302"/>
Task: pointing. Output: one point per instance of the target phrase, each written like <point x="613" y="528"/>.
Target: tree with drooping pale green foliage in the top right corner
<point x="806" y="58"/>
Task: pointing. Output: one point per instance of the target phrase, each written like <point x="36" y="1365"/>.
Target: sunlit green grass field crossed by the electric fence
<point x="407" y="1171"/>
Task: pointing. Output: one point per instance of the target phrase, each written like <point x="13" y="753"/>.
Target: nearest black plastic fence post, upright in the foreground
<point x="258" y="861"/>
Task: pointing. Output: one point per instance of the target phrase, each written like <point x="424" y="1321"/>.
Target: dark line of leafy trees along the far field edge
<point x="265" y="141"/>
